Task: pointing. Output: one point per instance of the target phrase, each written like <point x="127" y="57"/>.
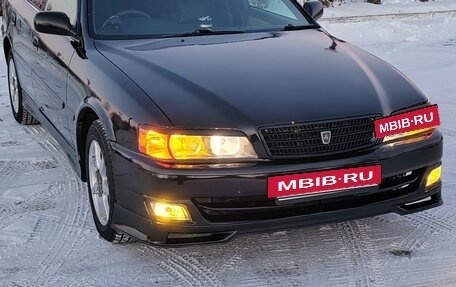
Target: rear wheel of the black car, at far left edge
<point x="20" y="114"/>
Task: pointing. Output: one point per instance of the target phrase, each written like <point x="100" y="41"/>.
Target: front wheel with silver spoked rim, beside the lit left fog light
<point x="98" y="159"/>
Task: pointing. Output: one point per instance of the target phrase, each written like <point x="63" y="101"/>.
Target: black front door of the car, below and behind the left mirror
<point x="51" y="58"/>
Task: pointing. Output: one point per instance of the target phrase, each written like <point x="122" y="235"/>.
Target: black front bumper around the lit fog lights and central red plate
<point x="224" y="202"/>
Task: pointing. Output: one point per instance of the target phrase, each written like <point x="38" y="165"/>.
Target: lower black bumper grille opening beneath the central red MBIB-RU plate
<point x="245" y="208"/>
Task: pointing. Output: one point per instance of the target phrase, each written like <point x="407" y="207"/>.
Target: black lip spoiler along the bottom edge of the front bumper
<point x="225" y="232"/>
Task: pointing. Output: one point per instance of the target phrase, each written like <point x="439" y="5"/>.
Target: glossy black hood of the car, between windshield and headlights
<point x="260" y="79"/>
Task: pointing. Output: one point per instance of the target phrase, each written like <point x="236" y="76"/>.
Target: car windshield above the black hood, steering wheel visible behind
<point x="160" y="18"/>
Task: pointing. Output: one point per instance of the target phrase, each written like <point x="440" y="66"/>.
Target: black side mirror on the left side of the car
<point x="55" y="23"/>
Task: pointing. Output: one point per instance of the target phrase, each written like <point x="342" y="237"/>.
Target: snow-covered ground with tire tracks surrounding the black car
<point x="47" y="237"/>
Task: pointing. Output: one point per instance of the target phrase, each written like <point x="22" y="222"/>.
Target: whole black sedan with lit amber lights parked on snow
<point x="194" y="121"/>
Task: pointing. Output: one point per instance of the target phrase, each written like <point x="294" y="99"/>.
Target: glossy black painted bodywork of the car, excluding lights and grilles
<point x="274" y="78"/>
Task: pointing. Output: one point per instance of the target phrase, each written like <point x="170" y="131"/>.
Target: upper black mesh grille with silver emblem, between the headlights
<point x="305" y="139"/>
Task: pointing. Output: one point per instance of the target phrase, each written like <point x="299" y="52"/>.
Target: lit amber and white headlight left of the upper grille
<point x="187" y="147"/>
